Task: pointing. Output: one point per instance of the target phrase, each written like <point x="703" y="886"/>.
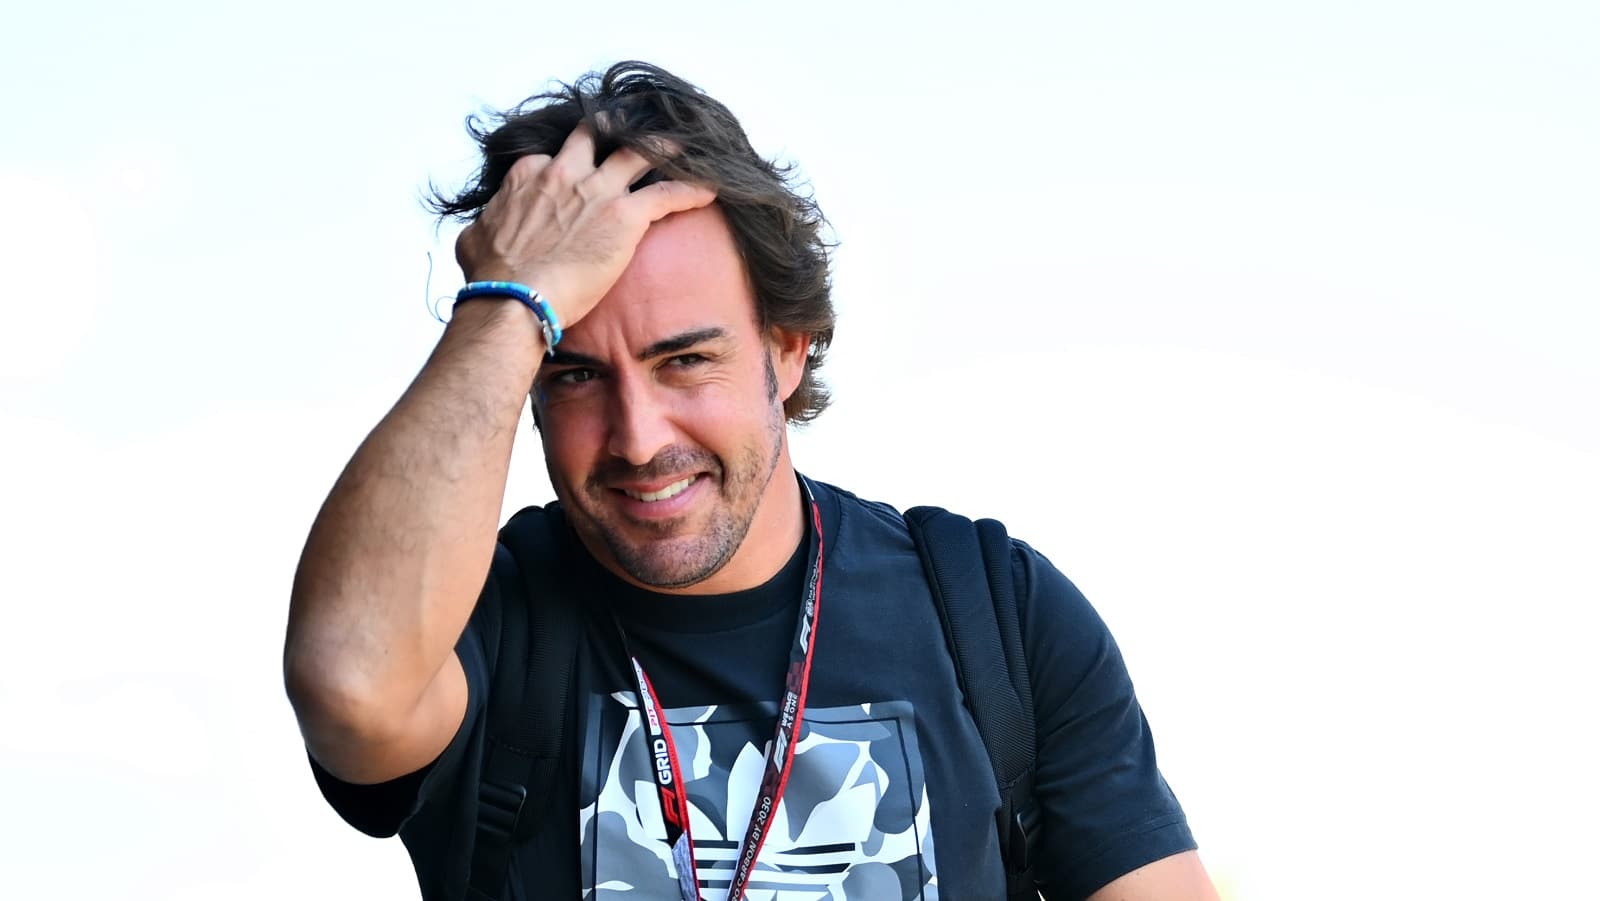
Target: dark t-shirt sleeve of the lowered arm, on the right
<point x="1103" y="807"/>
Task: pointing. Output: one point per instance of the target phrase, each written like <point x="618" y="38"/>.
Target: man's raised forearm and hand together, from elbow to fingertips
<point x="401" y="550"/>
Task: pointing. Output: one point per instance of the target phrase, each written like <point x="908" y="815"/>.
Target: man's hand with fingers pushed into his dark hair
<point x="567" y="228"/>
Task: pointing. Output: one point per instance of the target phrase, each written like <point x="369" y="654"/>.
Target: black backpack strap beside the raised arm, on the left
<point x="530" y="705"/>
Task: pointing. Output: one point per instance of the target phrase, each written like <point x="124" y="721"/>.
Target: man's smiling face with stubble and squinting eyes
<point x="662" y="414"/>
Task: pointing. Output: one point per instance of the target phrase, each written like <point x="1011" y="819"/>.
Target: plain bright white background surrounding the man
<point x="1273" y="324"/>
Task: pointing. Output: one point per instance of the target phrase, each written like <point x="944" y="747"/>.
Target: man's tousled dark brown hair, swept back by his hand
<point x="634" y="105"/>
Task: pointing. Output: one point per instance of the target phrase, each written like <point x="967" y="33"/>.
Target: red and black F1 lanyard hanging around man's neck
<point x="780" y="756"/>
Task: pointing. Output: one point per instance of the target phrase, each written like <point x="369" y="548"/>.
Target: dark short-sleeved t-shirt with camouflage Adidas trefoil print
<point x="892" y="793"/>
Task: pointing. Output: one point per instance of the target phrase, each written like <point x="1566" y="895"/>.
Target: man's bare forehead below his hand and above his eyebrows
<point x="686" y="274"/>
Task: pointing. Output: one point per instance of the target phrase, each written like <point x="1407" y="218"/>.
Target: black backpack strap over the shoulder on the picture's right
<point x="969" y="567"/>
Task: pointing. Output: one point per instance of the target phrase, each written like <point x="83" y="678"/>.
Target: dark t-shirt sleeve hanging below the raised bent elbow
<point x="383" y="809"/>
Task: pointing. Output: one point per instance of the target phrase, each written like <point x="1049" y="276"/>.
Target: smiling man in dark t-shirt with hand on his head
<point x="665" y="294"/>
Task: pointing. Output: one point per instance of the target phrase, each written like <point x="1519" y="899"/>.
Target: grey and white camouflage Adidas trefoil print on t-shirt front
<point x="852" y="825"/>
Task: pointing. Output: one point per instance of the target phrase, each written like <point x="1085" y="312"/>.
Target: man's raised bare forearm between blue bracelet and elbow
<point x="399" y="553"/>
